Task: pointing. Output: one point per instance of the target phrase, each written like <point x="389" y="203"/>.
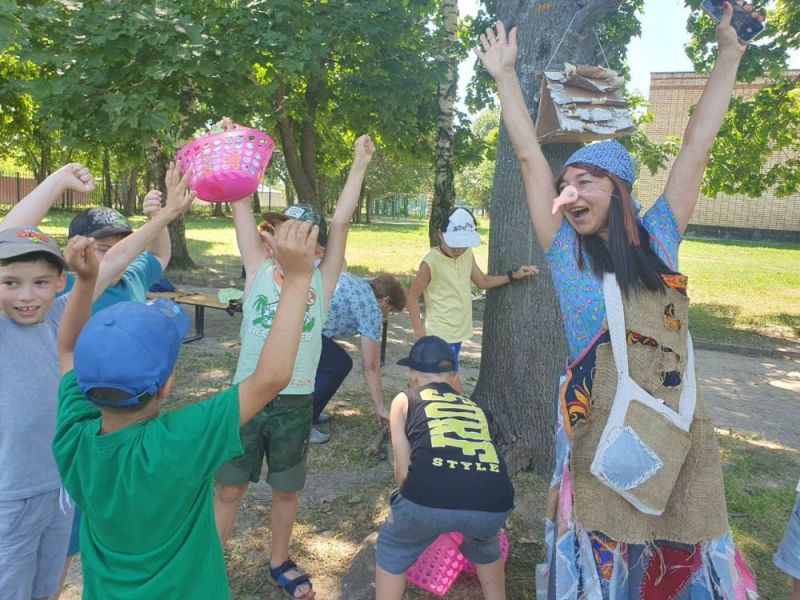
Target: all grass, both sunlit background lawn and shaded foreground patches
<point x="741" y="293"/>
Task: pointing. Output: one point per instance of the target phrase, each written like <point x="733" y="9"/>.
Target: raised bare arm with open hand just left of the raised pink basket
<point x="117" y="259"/>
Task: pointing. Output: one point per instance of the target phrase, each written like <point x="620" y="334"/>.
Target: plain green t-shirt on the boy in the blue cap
<point x="146" y="491"/>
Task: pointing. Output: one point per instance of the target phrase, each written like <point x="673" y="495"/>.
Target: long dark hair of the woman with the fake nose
<point x="627" y="253"/>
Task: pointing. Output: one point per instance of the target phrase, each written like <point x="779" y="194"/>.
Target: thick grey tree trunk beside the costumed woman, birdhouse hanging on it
<point x="524" y="346"/>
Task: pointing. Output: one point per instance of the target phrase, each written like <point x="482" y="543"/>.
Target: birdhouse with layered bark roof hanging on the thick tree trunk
<point x="582" y="104"/>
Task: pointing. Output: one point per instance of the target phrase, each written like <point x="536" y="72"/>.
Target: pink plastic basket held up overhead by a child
<point x="226" y="166"/>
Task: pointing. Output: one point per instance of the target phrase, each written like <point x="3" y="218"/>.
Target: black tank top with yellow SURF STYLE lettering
<point x="454" y="463"/>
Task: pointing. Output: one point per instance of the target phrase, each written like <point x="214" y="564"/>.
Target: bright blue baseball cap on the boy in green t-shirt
<point x="130" y="347"/>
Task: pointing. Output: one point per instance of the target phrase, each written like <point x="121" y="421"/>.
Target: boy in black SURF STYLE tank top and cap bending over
<point x="450" y="474"/>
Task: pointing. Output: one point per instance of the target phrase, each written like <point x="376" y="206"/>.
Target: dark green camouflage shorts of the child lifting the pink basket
<point x="279" y="432"/>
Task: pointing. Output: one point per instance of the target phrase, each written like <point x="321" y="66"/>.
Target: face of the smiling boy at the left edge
<point x="28" y="288"/>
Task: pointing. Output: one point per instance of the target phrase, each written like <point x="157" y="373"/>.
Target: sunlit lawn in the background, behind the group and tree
<point x="742" y="293"/>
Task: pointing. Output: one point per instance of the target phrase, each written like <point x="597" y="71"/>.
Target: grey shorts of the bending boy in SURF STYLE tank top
<point x="411" y="528"/>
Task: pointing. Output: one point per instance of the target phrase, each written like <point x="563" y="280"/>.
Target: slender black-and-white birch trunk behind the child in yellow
<point x="444" y="191"/>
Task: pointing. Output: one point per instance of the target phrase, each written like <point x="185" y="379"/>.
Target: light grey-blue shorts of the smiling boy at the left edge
<point x="34" y="533"/>
